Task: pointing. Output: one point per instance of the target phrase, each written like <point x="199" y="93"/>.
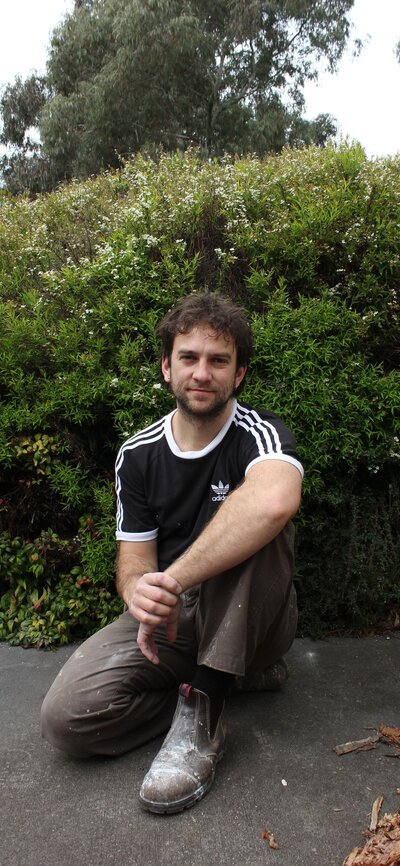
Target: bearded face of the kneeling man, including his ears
<point x="202" y="372"/>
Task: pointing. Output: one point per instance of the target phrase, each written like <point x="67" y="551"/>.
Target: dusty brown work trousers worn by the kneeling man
<point x="108" y="698"/>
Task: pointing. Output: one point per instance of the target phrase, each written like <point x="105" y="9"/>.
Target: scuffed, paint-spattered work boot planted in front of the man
<point x="184" y="769"/>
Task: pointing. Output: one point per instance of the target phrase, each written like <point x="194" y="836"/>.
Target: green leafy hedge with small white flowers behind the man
<point x="308" y="242"/>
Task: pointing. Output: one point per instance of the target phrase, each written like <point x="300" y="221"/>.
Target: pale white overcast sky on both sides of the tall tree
<point x="363" y="96"/>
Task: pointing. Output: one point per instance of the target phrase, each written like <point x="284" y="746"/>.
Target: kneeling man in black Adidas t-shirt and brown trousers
<point x="205" y="562"/>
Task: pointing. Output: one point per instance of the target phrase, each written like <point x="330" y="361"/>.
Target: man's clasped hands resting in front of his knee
<point x="155" y="601"/>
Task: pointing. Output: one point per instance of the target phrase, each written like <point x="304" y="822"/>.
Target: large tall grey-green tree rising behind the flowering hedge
<point x="223" y="75"/>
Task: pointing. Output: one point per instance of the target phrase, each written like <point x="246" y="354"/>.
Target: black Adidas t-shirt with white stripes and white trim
<point x="167" y="494"/>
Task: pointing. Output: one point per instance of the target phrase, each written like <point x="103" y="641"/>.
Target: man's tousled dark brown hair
<point x="220" y="314"/>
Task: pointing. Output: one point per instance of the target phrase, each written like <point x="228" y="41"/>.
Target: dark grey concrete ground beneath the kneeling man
<point x="59" y="812"/>
